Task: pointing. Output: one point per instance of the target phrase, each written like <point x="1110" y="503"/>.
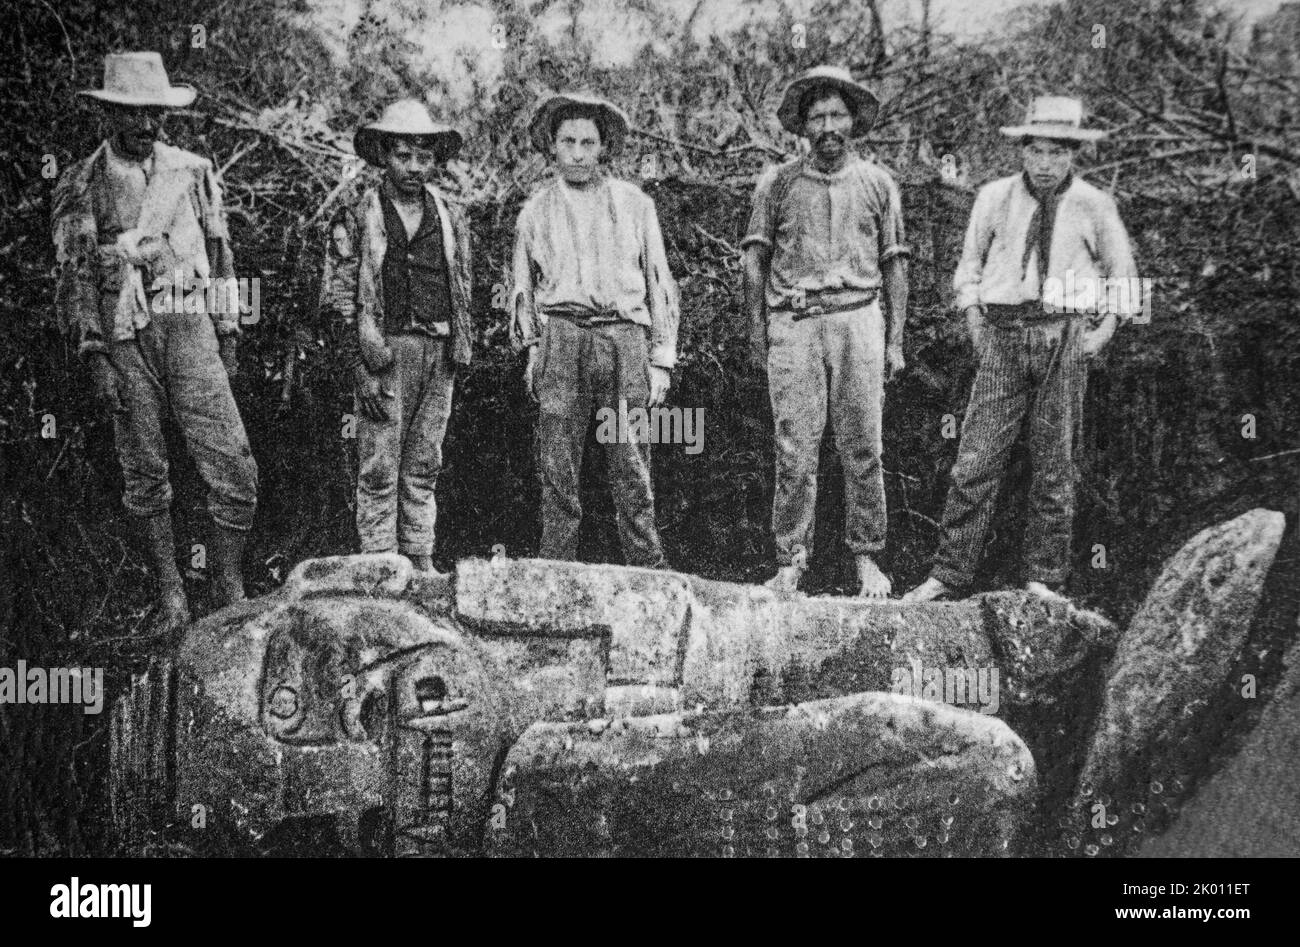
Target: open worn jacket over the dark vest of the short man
<point x="353" y="286"/>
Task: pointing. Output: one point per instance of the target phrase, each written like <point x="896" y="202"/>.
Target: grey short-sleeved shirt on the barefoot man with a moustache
<point x="827" y="232"/>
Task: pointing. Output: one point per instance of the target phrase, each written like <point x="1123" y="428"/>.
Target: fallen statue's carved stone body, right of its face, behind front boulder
<point x="722" y="645"/>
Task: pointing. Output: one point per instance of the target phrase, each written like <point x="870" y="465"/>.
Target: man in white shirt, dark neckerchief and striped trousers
<point x="1041" y="250"/>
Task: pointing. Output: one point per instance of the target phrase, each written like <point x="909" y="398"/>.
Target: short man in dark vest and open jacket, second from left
<point x="398" y="267"/>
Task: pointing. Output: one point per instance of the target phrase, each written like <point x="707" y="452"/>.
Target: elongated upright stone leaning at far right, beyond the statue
<point x="1173" y="661"/>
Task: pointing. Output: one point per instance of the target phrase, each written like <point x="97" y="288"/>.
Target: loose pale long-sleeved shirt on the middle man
<point x="597" y="249"/>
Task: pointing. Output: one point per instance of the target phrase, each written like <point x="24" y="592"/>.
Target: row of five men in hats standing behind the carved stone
<point x="595" y="305"/>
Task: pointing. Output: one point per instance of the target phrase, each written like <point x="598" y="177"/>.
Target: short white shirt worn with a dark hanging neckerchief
<point x="1002" y="260"/>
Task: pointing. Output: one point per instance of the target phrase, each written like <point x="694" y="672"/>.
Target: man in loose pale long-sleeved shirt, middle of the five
<point x="597" y="308"/>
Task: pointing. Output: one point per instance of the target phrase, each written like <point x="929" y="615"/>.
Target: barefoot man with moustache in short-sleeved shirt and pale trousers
<point x="825" y="243"/>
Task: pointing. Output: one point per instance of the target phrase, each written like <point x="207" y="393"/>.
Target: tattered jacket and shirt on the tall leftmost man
<point x="106" y="289"/>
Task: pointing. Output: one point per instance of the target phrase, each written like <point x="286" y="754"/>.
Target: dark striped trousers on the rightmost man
<point x="1026" y="369"/>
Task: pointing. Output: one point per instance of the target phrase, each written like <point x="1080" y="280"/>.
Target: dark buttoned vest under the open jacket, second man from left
<point x="417" y="286"/>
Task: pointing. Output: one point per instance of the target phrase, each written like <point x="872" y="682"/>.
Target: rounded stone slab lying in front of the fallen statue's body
<point x="866" y="775"/>
